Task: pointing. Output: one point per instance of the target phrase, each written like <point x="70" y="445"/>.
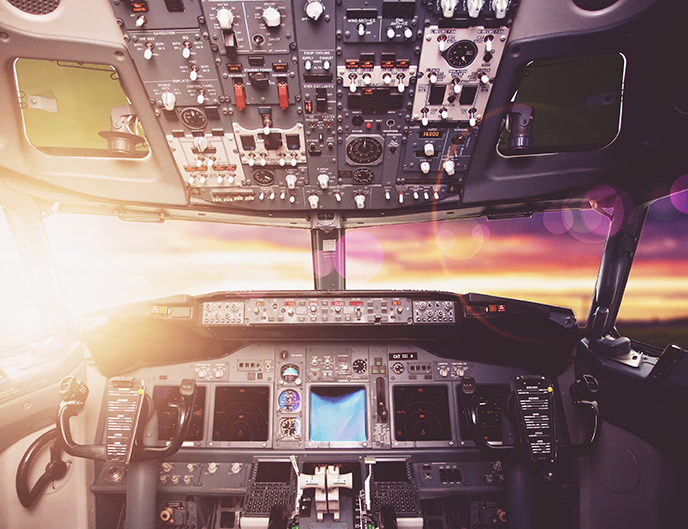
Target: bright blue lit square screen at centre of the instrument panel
<point x="338" y="414"/>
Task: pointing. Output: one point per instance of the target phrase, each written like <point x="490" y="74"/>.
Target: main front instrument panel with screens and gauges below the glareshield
<point x="302" y="395"/>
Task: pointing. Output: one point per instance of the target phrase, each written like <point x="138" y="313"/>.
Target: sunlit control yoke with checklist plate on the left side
<point x="125" y="404"/>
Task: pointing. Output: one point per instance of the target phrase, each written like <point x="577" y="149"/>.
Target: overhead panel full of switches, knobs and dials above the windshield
<point x="319" y="105"/>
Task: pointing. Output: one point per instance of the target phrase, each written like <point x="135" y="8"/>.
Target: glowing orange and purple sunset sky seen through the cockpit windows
<point x="551" y="258"/>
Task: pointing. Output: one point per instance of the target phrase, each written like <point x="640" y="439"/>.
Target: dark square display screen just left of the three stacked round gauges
<point x="241" y="413"/>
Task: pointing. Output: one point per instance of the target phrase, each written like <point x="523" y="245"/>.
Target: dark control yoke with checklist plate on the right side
<point x="532" y="404"/>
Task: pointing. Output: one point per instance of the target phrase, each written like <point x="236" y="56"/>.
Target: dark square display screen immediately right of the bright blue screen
<point x="421" y="413"/>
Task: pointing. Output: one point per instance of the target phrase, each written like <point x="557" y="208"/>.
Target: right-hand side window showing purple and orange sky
<point x="655" y="305"/>
